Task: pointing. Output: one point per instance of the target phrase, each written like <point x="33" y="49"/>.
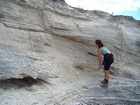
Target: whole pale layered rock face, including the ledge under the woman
<point x="50" y="41"/>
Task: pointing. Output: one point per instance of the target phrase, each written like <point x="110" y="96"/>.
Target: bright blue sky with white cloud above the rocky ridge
<point x="117" y="7"/>
